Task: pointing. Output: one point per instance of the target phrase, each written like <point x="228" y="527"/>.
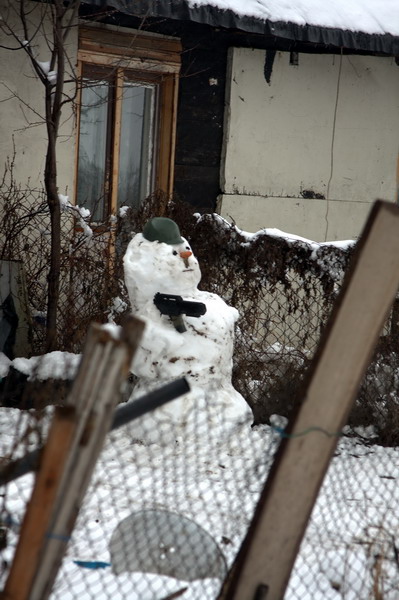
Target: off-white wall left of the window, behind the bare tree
<point x="22" y="102"/>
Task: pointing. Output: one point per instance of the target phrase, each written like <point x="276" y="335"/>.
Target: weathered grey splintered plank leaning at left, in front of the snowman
<point x="112" y="368"/>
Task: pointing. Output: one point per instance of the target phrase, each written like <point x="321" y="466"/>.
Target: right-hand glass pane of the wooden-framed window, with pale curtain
<point x="136" y="143"/>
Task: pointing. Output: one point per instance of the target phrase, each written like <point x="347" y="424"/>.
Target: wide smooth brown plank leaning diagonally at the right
<point x="268" y="554"/>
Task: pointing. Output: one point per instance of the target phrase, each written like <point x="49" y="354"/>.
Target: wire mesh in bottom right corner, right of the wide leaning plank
<point x="350" y="546"/>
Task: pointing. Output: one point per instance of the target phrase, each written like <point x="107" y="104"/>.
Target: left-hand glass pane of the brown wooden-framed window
<point x="93" y="147"/>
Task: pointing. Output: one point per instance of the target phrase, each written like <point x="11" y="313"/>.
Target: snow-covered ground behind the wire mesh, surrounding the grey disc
<point x="348" y="551"/>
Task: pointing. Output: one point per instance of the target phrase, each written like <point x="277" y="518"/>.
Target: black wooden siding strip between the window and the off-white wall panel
<point x="200" y="120"/>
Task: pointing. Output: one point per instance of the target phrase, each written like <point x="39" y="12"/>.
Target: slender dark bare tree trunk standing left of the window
<point x="56" y="22"/>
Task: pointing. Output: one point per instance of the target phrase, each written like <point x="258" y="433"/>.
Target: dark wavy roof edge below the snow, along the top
<point x="179" y="10"/>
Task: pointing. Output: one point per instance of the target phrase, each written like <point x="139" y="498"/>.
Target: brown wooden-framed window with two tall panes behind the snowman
<point x="126" y="118"/>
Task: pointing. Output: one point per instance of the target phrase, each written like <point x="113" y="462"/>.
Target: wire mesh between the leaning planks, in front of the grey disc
<point x="206" y="478"/>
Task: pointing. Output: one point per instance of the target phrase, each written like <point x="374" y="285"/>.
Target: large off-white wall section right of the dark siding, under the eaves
<point x="329" y="125"/>
